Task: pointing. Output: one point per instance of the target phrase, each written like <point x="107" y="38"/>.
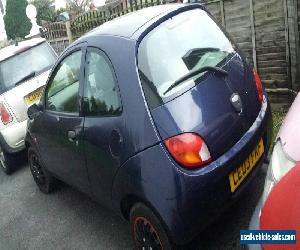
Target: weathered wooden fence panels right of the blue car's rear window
<point x="267" y="32"/>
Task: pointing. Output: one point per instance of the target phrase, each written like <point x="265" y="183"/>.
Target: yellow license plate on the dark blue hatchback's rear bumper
<point x="239" y="174"/>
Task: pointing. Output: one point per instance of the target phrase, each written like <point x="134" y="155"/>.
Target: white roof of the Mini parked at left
<point x="11" y="50"/>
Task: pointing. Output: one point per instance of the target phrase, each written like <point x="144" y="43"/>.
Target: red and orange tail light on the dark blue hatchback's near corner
<point x="189" y="150"/>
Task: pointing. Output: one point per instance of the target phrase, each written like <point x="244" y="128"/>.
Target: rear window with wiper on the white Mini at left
<point x="25" y="65"/>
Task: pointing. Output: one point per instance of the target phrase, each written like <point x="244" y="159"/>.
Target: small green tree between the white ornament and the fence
<point x="45" y="10"/>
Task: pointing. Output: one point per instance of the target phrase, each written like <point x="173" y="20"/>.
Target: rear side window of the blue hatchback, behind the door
<point x="101" y="97"/>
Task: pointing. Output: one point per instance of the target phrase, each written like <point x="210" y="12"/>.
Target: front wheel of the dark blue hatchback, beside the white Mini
<point x="41" y="176"/>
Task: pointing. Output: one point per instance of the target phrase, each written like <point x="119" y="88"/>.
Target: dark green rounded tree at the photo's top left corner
<point x="17" y="24"/>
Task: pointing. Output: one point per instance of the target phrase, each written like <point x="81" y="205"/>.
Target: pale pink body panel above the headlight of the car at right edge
<point x="289" y="131"/>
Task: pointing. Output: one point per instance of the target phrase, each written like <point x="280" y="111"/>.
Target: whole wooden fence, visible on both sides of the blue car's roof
<point x="267" y="31"/>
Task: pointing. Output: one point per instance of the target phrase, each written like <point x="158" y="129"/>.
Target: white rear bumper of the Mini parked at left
<point x="12" y="137"/>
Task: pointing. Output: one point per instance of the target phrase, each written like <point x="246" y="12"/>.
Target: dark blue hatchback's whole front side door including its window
<point x="62" y="122"/>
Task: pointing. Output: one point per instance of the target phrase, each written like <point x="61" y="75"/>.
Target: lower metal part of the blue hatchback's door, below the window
<point x="69" y="161"/>
